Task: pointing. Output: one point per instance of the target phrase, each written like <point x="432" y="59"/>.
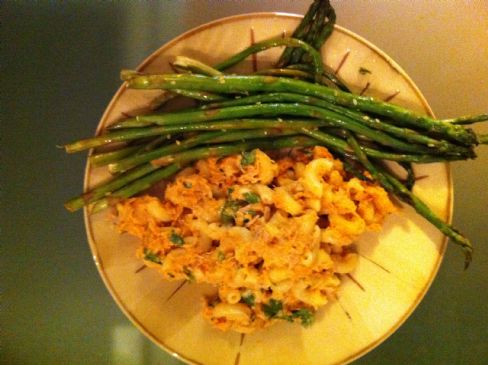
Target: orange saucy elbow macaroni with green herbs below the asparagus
<point x="273" y="255"/>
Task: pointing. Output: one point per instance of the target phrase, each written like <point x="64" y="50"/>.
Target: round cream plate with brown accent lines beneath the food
<point x="396" y="267"/>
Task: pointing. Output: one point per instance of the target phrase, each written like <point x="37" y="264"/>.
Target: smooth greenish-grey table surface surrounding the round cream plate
<point x="60" y="65"/>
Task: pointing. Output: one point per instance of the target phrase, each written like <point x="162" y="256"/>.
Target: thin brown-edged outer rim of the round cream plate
<point x="101" y="124"/>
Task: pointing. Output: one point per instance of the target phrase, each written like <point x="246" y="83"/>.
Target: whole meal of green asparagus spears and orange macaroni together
<point x="270" y="176"/>
